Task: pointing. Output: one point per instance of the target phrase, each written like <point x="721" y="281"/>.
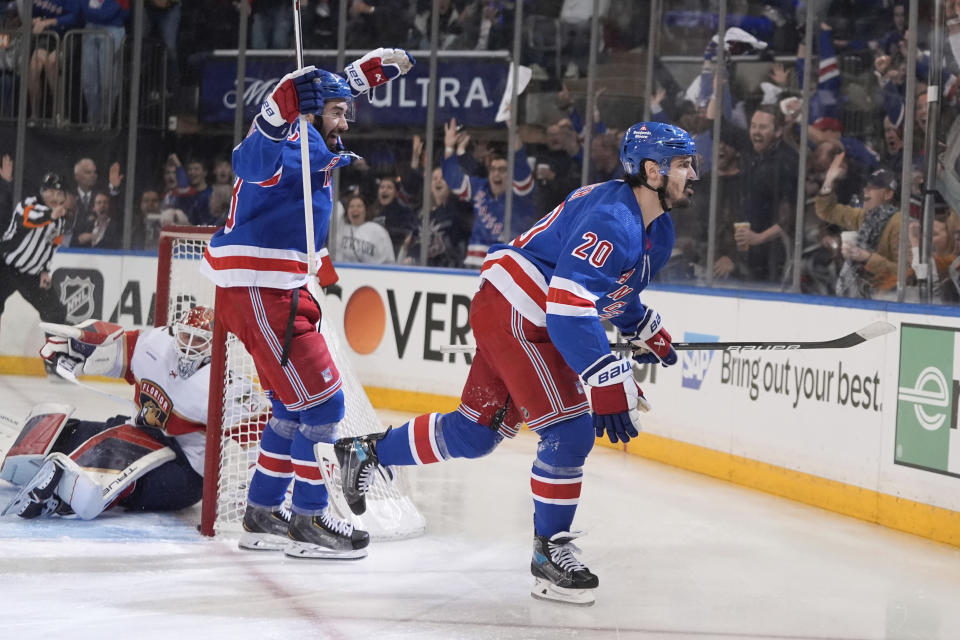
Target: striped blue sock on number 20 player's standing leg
<point x="557" y="474"/>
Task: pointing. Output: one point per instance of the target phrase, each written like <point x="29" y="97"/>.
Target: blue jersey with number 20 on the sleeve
<point x="584" y="262"/>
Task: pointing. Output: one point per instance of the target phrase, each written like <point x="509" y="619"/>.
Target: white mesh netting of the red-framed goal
<point x="390" y="512"/>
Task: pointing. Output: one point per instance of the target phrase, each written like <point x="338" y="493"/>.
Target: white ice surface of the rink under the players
<point x="680" y="556"/>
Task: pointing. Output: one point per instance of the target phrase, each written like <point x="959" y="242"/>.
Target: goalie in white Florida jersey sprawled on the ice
<point x="152" y="461"/>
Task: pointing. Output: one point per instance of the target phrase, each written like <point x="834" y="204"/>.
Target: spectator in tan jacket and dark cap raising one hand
<point x="870" y="264"/>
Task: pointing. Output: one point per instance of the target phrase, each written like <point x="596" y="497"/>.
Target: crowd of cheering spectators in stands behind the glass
<point x="854" y="158"/>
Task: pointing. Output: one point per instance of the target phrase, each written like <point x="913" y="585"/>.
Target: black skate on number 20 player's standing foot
<point x="558" y="575"/>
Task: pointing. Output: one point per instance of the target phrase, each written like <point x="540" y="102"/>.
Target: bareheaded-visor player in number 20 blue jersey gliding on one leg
<point x="537" y="323"/>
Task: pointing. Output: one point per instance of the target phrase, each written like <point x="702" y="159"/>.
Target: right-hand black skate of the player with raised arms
<point x="324" y="536"/>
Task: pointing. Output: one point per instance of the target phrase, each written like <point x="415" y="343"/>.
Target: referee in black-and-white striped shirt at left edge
<point x="32" y="233"/>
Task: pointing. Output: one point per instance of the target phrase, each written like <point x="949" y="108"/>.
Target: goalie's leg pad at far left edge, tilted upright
<point x="37" y="438"/>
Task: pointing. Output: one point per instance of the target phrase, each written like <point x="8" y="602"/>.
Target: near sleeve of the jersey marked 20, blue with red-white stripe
<point x="600" y="253"/>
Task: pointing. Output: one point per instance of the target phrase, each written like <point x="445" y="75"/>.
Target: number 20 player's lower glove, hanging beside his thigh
<point x="615" y="398"/>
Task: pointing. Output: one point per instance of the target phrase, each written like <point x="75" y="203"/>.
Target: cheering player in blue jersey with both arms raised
<point x="259" y="263"/>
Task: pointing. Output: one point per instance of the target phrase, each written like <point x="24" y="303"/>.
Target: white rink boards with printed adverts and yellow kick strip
<point x="870" y="431"/>
